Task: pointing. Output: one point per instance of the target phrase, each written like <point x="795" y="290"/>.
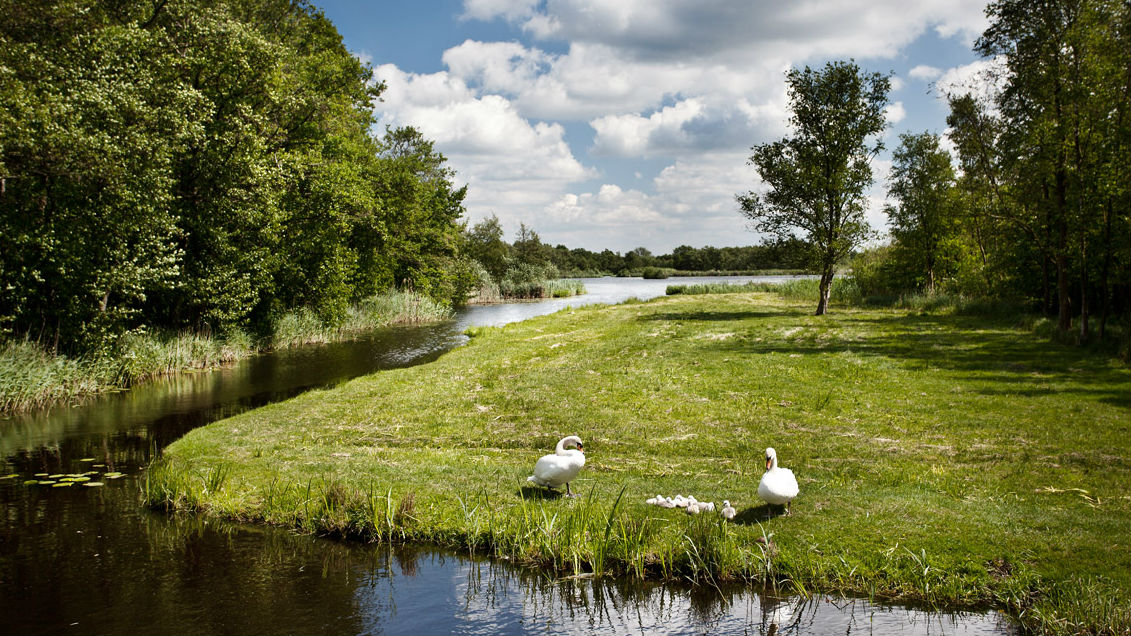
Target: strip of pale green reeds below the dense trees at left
<point x="33" y="379"/>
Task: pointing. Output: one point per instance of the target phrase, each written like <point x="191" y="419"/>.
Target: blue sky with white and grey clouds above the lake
<point x="626" y="124"/>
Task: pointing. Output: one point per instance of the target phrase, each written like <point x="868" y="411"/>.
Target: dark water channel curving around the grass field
<point x="90" y="561"/>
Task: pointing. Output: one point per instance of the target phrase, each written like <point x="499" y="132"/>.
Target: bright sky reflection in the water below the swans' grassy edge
<point x="436" y="594"/>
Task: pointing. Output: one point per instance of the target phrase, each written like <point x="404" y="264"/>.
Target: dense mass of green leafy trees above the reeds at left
<point x="203" y="166"/>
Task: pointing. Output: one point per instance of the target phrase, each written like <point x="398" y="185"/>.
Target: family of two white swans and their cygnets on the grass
<point x="779" y="486"/>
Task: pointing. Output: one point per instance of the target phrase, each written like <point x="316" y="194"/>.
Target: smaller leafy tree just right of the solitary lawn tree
<point x="923" y="220"/>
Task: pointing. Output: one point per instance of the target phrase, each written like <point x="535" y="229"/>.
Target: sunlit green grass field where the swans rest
<point x="943" y="459"/>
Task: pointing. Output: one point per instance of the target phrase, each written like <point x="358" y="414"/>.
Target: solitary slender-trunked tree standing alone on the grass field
<point x="818" y="177"/>
